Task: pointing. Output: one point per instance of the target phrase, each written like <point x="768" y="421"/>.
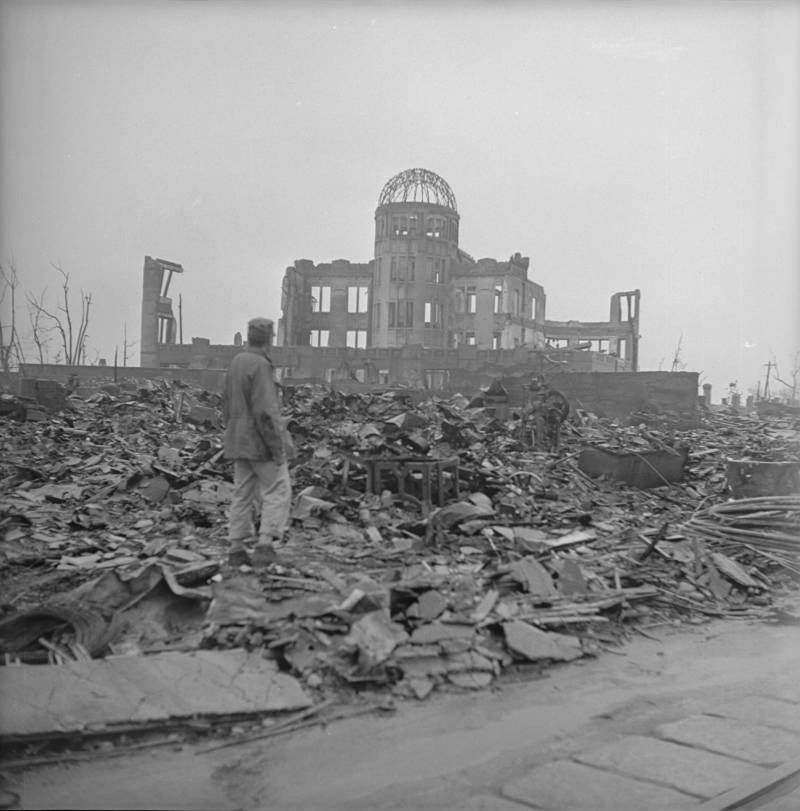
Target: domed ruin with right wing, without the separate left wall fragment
<point x="422" y="289"/>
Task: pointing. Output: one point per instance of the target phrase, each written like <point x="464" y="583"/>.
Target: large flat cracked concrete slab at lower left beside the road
<point x="42" y="699"/>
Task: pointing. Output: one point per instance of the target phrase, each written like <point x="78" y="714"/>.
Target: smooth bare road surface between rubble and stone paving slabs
<point x="452" y="751"/>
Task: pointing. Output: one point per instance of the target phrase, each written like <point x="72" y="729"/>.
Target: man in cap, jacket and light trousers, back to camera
<point x="257" y="442"/>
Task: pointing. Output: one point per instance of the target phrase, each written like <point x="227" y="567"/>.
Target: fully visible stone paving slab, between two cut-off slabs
<point x="694" y="771"/>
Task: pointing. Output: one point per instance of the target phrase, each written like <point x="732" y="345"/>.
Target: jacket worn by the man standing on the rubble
<point x="251" y="409"/>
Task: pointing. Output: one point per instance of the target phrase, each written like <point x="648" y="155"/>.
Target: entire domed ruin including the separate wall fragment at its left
<point x="419" y="310"/>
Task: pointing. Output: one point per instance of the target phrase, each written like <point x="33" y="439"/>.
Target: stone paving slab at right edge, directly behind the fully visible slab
<point x="766" y="746"/>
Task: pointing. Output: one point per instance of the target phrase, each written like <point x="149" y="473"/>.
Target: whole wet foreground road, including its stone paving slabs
<point x="666" y="724"/>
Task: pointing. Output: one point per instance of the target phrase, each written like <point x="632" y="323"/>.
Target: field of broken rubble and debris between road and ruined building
<point x="430" y="549"/>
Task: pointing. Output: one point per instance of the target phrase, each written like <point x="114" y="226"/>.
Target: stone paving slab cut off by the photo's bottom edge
<point x="566" y="786"/>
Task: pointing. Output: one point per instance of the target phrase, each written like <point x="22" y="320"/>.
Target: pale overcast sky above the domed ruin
<point x="619" y="145"/>
